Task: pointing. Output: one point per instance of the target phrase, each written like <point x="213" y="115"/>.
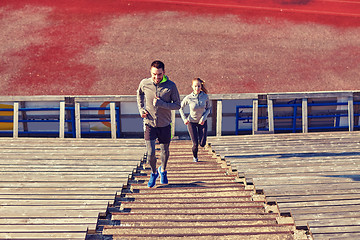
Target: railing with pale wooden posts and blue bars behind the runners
<point x="70" y="112"/>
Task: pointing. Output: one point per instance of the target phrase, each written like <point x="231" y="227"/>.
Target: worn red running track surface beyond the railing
<point x="98" y="47"/>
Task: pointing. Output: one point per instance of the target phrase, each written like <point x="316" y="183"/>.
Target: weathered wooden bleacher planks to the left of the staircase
<point x="56" y="188"/>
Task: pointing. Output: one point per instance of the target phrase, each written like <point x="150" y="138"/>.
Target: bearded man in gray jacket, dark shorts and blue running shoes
<point x="156" y="97"/>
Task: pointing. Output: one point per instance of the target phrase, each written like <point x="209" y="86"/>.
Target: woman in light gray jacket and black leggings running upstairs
<point x="200" y="108"/>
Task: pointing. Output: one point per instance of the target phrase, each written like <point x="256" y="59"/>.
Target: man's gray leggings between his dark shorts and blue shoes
<point x="164" y="154"/>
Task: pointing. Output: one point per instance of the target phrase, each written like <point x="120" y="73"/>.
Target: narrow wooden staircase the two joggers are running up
<point x="203" y="200"/>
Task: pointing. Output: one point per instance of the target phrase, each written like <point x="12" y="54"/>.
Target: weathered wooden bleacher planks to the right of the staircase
<point x="314" y="176"/>
